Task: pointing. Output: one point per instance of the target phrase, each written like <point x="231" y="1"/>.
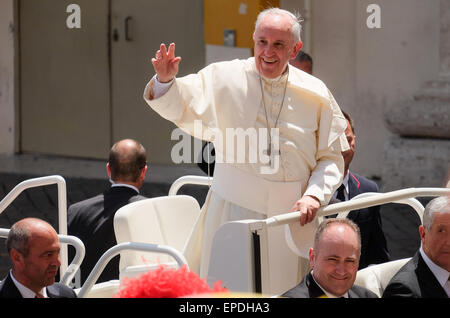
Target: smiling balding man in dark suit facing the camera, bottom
<point x="334" y="261"/>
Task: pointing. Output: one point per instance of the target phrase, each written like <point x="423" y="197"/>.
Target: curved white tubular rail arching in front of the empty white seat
<point x="115" y="250"/>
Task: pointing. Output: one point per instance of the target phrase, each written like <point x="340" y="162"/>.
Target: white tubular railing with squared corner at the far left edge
<point x="62" y="206"/>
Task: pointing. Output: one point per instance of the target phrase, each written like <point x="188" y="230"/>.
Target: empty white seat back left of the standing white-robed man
<point x="164" y="220"/>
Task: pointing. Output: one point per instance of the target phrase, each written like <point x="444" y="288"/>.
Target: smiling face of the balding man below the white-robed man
<point x="336" y="258"/>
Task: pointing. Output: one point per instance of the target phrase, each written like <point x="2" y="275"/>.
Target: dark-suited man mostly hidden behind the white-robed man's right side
<point x="374" y="248"/>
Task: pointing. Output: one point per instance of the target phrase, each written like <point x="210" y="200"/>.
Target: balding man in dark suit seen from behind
<point x="91" y="220"/>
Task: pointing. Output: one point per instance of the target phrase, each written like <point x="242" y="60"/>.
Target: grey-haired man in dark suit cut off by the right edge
<point x="427" y="274"/>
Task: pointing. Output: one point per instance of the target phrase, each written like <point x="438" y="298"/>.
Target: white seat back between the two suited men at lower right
<point x="377" y="277"/>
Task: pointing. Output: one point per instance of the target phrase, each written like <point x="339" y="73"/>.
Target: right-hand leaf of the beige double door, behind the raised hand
<point x="131" y="67"/>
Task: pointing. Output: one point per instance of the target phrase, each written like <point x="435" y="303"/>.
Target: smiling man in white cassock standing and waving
<point x="302" y="164"/>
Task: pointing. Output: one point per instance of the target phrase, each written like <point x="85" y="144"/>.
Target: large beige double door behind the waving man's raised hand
<point x="80" y="92"/>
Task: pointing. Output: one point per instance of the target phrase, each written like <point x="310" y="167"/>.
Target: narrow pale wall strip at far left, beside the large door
<point x="7" y="77"/>
